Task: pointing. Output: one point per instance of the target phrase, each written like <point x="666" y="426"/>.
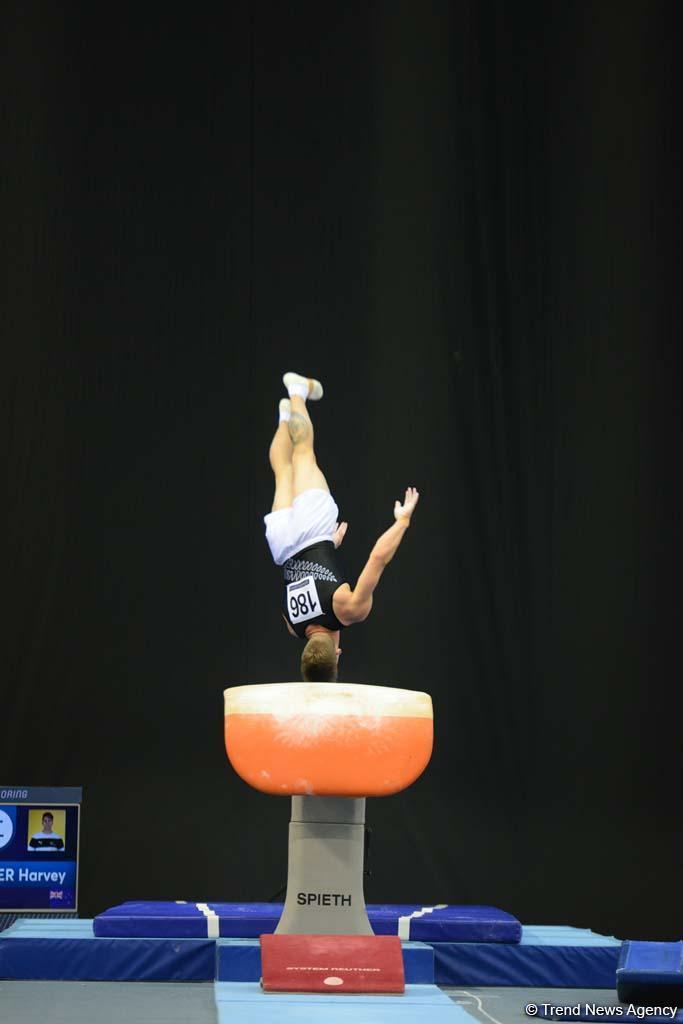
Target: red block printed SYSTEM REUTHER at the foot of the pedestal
<point x="332" y="964"/>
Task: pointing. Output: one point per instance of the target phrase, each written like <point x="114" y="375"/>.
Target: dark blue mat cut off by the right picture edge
<point x="651" y="972"/>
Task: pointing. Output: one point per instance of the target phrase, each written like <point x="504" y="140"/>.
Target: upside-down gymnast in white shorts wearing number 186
<point x="304" y="534"/>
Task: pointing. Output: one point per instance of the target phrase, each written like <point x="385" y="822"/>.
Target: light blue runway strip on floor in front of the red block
<point x="248" y="1004"/>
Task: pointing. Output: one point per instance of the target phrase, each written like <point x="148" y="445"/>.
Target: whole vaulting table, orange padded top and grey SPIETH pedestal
<point x="327" y="746"/>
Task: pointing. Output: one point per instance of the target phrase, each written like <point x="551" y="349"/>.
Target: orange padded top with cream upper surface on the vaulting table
<point x="328" y="740"/>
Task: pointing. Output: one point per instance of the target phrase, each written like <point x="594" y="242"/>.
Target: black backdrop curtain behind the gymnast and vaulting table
<point x="465" y="219"/>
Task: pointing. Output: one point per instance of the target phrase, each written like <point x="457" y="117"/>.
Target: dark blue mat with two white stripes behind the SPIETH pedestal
<point x="245" y="921"/>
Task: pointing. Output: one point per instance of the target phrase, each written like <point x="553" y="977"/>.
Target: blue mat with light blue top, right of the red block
<point x="547" y="957"/>
